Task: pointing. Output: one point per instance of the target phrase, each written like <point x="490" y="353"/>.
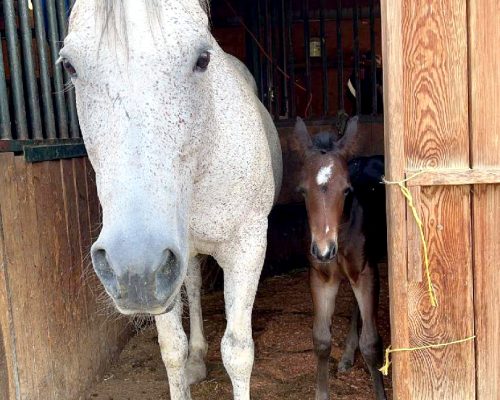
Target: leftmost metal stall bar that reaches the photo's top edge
<point x="15" y="70"/>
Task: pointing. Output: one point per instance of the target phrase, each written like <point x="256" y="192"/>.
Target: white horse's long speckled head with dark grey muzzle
<point x="141" y="70"/>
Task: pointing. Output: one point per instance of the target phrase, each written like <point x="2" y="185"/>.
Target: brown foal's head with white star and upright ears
<point x="325" y="185"/>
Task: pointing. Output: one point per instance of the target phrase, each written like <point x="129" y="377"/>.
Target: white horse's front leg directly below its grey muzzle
<point x="174" y="350"/>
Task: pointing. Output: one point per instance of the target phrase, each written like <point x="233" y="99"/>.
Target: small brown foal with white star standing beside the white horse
<point x="338" y="244"/>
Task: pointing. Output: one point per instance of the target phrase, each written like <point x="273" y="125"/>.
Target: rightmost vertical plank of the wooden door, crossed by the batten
<point x="484" y="36"/>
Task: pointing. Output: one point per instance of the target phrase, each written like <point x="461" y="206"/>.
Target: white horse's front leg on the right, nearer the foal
<point x="242" y="262"/>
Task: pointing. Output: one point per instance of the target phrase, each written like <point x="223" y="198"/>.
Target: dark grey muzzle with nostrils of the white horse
<point x="139" y="289"/>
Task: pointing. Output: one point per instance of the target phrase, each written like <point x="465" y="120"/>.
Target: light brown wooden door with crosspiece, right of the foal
<point x="442" y="89"/>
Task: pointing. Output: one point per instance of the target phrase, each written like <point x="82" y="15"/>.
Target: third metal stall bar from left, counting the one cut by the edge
<point x="29" y="71"/>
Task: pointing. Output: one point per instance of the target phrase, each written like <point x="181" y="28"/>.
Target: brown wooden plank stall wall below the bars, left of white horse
<point x="56" y="333"/>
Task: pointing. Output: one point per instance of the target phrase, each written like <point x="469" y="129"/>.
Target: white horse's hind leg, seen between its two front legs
<point x="196" y="370"/>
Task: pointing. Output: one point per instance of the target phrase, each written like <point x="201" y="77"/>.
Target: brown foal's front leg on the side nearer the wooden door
<point x="370" y="343"/>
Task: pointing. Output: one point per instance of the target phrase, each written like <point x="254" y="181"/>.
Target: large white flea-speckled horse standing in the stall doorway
<point x="187" y="162"/>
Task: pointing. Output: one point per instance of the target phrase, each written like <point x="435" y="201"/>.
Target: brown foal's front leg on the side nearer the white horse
<point x="324" y="291"/>
